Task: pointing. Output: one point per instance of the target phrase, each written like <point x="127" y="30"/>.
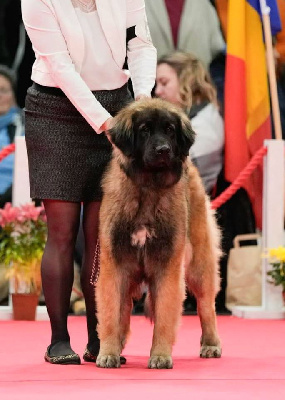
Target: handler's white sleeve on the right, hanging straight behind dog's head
<point x="142" y="55"/>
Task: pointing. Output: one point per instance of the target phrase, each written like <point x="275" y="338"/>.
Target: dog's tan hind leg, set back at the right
<point x="202" y="275"/>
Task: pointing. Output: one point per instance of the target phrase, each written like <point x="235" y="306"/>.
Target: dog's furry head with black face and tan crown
<point x="154" y="138"/>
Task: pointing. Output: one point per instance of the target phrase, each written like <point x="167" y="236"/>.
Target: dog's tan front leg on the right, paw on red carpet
<point x="167" y="295"/>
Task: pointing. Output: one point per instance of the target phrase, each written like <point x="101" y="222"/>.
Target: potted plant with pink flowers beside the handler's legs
<point x="22" y="239"/>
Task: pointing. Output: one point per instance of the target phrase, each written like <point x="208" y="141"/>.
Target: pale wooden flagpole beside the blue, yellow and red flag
<point x="265" y="12"/>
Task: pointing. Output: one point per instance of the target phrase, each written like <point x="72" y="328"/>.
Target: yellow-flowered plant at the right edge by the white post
<point x="277" y="273"/>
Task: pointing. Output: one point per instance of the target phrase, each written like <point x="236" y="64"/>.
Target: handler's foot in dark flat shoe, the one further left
<point x="61" y="353"/>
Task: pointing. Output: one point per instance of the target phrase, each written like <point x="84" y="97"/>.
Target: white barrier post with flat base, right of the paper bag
<point x="272" y="232"/>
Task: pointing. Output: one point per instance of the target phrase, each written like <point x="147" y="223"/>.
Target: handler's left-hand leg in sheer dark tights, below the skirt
<point x="57" y="269"/>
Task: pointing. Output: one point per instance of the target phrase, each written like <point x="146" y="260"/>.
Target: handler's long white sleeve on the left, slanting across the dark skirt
<point x="48" y="42"/>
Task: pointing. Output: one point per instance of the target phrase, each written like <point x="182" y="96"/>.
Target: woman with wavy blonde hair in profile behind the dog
<point x="183" y="80"/>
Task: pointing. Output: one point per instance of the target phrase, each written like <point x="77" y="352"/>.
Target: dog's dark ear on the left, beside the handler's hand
<point x="122" y="134"/>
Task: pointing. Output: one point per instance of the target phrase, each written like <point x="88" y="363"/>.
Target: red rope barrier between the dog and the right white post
<point x="241" y="178"/>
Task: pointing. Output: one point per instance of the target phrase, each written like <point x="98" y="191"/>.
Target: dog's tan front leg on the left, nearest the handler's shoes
<point x="109" y="298"/>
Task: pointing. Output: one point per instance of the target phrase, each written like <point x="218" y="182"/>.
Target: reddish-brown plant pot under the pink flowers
<point x="24" y="306"/>
